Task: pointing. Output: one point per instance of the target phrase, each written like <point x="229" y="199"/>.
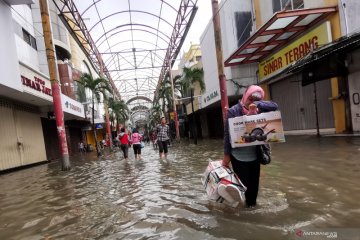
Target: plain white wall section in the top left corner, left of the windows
<point x="9" y="66"/>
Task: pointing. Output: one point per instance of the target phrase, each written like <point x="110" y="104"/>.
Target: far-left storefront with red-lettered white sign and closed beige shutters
<point x="22" y="134"/>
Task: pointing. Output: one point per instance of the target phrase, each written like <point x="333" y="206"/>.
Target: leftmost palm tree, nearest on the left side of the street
<point x="98" y="87"/>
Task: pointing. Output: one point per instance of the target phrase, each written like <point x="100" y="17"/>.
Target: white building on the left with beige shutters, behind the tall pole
<point x="28" y="128"/>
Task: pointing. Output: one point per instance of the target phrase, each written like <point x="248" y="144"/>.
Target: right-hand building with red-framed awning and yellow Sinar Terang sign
<point x="262" y="41"/>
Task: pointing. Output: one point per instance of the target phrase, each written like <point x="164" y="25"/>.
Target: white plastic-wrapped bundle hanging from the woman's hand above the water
<point x="222" y="185"/>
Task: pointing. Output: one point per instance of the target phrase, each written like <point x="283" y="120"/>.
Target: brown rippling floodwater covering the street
<point x="311" y="184"/>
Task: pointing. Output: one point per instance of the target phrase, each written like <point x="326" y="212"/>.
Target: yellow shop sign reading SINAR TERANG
<point x="295" y="51"/>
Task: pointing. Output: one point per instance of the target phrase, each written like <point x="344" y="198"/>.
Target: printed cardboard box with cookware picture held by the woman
<point x="256" y="129"/>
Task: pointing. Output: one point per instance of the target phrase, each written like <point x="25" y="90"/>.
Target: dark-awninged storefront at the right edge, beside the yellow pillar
<point x="339" y="59"/>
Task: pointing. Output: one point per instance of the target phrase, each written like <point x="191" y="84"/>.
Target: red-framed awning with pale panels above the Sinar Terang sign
<point x="280" y="30"/>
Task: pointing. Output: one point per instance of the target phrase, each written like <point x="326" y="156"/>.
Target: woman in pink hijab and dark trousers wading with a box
<point x="244" y="159"/>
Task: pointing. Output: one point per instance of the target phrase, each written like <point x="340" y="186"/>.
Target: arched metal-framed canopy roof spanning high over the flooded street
<point x="132" y="41"/>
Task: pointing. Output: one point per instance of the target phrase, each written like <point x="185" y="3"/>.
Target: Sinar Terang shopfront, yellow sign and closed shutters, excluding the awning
<point x="295" y="100"/>
